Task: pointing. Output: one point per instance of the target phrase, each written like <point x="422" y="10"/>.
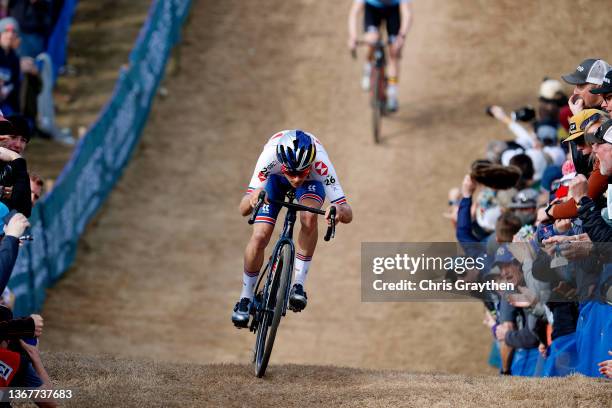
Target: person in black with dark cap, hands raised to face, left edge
<point x="14" y="179"/>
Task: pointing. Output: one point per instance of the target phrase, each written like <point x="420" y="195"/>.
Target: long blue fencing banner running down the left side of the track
<point x="97" y="162"/>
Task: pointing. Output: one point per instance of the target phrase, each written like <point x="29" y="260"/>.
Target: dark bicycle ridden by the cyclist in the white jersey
<point x="270" y="302"/>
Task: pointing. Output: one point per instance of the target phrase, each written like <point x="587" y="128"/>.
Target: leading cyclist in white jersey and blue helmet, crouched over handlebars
<point x="290" y="159"/>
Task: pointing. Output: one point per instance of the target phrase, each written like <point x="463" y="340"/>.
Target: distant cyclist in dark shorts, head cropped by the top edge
<point x="398" y="19"/>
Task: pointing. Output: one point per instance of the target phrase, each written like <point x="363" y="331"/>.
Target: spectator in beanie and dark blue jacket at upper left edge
<point x="10" y="66"/>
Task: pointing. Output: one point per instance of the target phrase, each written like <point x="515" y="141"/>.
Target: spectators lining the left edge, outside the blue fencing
<point x="25" y="28"/>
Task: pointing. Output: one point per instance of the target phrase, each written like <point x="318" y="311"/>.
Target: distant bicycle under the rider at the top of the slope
<point x="378" y="85"/>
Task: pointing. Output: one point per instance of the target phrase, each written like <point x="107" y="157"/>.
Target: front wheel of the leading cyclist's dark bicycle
<point x="273" y="310"/>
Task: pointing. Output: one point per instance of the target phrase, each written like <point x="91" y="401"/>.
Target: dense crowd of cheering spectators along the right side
<point x="539" y="205"/>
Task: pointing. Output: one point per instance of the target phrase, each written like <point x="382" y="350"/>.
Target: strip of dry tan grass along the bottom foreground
<point x="106" y="381"/>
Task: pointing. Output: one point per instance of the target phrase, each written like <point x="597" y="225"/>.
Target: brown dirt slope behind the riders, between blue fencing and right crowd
<point x="159" y="270"/>
